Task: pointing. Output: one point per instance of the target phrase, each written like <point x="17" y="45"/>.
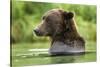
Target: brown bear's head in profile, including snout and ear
<point x="54" y="23"/>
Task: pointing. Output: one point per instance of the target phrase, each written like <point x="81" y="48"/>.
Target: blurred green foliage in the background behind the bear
<point x="25" y="16"/>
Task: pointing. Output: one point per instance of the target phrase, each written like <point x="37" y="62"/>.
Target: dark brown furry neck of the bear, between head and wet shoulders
<point x="71" y="34"/>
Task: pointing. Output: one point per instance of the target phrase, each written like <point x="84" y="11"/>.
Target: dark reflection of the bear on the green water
<point x="70" y="58"/>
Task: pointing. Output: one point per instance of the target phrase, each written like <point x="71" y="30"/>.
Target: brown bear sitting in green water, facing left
<point x="60" y="26"/>
